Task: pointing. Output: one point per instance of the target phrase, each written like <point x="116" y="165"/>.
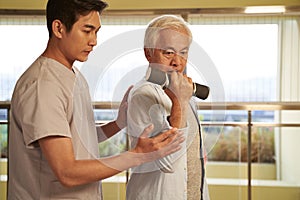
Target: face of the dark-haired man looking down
<point x="79" y="42"/>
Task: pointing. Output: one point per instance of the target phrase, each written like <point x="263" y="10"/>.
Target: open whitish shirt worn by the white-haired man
<point x="148" y="103"/>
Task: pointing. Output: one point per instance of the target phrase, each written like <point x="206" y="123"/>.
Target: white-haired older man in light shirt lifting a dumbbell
<point x="167" y="103"/>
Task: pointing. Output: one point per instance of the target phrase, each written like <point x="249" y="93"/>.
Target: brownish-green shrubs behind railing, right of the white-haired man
<point x="232" y="146"/>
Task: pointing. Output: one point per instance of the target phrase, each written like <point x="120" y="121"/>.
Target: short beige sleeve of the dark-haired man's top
<point x="44" y="111"/>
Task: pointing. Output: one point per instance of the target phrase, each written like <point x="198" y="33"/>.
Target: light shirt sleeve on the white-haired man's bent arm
<point x="148" y="104"/>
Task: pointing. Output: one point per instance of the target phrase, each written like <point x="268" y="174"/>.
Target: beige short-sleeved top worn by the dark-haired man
<point x="49" y="100"/>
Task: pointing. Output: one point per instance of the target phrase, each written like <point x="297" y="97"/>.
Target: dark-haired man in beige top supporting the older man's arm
<point x="53" y="152"/>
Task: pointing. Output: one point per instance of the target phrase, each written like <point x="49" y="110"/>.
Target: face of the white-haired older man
<point x="171" y="51"/>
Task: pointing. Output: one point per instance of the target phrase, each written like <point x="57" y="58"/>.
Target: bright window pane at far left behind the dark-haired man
<point x="17" y="58"/>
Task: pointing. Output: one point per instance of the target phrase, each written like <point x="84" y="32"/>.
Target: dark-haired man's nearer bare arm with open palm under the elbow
<point x="71" y="172"/>
